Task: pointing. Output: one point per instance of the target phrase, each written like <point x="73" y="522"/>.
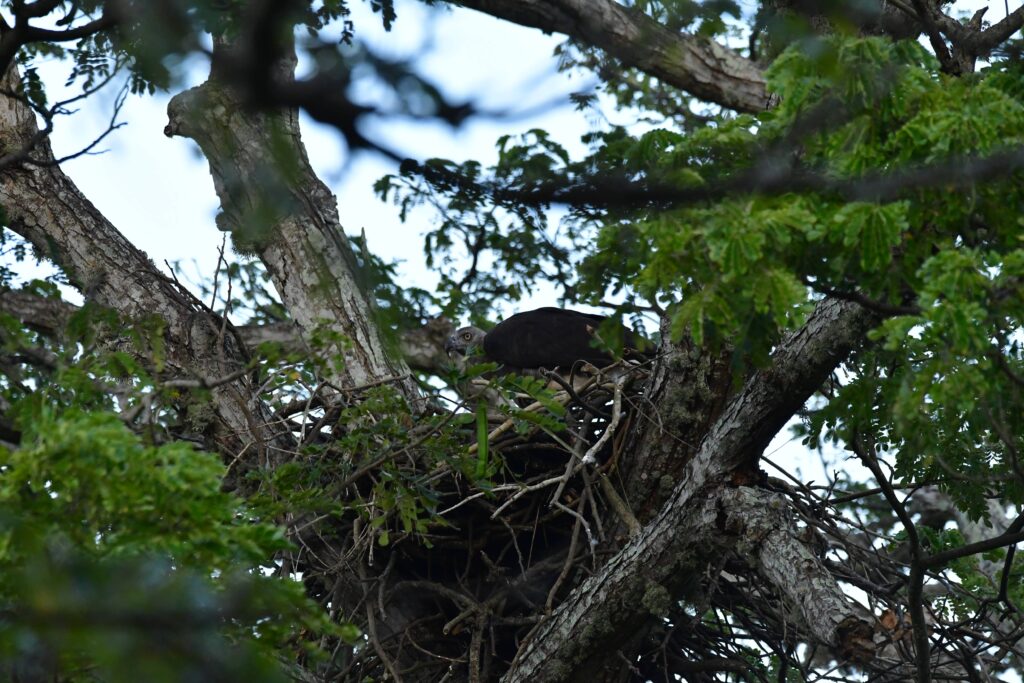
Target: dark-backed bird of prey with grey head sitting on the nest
<point x="544" y="338"/>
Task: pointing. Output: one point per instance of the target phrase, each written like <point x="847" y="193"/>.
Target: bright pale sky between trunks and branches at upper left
<point x="159" y="193"/>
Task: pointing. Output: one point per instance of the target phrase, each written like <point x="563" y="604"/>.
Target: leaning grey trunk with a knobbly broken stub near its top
<point x="275" y="205"/>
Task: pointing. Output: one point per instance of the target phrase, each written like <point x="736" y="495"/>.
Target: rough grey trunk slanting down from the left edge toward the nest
<point x="48" y="209"/>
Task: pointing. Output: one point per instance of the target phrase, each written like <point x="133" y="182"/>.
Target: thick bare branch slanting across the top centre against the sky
<point x="701" y="67"/>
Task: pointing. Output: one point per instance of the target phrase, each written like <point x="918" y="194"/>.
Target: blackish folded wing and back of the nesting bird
<point x="546" y="338"/>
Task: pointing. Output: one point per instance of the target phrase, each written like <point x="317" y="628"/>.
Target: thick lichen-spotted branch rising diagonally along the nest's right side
<point x="690" y="533"/>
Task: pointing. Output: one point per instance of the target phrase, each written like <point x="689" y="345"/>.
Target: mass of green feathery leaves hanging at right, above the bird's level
<point x="941" y="392"/>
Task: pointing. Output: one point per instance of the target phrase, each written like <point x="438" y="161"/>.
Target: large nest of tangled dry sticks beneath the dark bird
<point x="517" y="521"/>
